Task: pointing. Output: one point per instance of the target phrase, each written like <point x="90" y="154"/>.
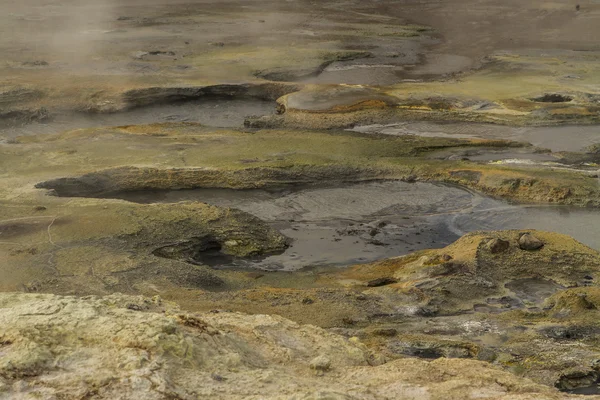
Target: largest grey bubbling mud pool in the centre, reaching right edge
<point x="369" y="221"/>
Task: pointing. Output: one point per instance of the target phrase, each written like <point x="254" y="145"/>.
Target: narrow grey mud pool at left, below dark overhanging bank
<point x="215" y="112"/>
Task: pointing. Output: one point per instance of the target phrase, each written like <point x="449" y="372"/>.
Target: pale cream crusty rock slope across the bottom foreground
<point x="121" y="347"/>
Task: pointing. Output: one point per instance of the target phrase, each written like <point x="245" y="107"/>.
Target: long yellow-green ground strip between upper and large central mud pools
<point x="171" y="156"/>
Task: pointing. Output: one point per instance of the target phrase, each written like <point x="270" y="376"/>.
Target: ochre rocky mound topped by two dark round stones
<point x="478" y="273"/>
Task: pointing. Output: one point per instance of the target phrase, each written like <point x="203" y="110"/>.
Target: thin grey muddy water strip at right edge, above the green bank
<point x="556" y="138"/>
